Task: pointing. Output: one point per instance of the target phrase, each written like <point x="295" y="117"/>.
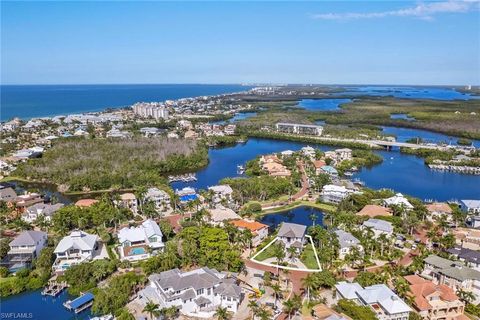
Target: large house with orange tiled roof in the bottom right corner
<point x="434" y="301"/>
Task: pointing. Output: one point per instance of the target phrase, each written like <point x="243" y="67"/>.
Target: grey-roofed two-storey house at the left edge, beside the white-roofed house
<point x="23" y="249"/>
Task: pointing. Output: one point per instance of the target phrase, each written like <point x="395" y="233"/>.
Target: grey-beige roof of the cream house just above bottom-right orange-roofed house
<point x="452" y="269"/>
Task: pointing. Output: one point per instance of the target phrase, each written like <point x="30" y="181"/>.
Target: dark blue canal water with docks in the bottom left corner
<point x="41" y="307"/>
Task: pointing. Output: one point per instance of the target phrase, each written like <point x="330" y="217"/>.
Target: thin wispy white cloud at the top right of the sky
<point x="425" y="11"/>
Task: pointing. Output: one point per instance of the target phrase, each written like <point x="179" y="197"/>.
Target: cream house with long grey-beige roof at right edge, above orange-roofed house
<point x="453" y="274"/>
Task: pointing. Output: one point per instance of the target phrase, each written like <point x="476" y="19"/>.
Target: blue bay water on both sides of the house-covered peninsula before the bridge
<point x="404" y="173"/>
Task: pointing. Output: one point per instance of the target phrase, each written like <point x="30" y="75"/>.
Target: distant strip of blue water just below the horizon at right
<point x="407" y="92"/>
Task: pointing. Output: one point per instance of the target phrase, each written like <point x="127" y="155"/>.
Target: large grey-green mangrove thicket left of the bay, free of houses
<point x="98" y="164"/>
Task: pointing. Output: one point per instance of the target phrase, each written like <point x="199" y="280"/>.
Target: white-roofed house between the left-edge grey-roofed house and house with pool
<point x="75" y="248"/>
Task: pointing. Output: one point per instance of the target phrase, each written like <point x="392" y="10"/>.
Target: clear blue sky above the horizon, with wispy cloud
<point x="345" y="42"/>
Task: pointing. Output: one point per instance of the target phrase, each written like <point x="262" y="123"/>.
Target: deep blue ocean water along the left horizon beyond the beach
<point x="32" y="101"/>
